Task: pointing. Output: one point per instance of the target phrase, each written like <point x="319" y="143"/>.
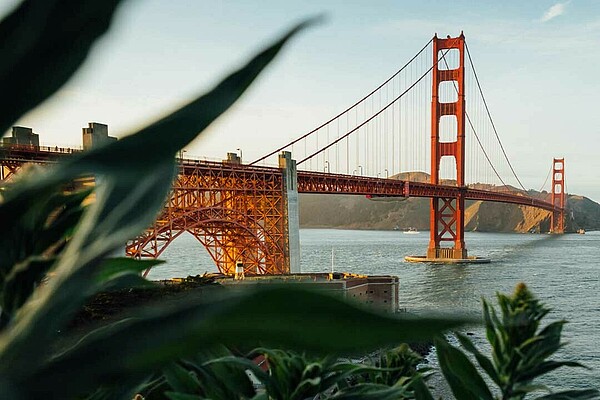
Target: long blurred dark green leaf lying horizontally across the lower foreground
<point x="288" y="316"/>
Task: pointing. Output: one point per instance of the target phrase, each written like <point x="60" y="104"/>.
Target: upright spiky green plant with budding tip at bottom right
<point x="521" y="352"/>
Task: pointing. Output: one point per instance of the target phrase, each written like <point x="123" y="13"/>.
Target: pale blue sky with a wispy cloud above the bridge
<point x="537" y="62"/>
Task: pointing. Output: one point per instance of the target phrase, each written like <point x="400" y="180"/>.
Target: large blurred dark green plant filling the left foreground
<point x="37" y="358"/>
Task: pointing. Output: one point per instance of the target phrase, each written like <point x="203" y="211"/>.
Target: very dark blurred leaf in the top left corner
<point x="42" y="44"/>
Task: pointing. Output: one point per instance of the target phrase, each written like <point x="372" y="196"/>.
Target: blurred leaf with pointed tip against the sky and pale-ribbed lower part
<point x="134" y="186"/>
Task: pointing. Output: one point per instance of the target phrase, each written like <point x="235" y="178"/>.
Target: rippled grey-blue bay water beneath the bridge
<point x="562" y="270"/>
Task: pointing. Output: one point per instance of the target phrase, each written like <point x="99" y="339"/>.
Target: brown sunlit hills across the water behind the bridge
<point x="358" y="212"/>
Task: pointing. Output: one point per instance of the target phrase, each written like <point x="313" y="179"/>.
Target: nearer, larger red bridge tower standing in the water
<point x="447" y="214"/>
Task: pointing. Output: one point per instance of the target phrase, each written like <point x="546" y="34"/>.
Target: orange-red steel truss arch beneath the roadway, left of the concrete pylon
<point x="237" y="212"/>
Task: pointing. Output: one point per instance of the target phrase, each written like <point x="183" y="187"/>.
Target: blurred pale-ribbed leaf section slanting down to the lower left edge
<point x="103" y="228"/>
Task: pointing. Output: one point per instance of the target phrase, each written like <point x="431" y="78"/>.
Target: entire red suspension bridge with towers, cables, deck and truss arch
<point x="426" y="131"/>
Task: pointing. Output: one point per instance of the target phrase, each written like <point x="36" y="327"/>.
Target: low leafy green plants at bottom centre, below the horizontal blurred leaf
<point x="285" y="375"/>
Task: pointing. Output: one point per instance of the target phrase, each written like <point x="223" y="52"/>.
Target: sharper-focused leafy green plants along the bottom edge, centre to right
<point x="521" y="351"/>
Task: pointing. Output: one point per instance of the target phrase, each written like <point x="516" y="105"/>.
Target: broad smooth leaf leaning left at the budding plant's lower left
<point x="461" y="375"/>
